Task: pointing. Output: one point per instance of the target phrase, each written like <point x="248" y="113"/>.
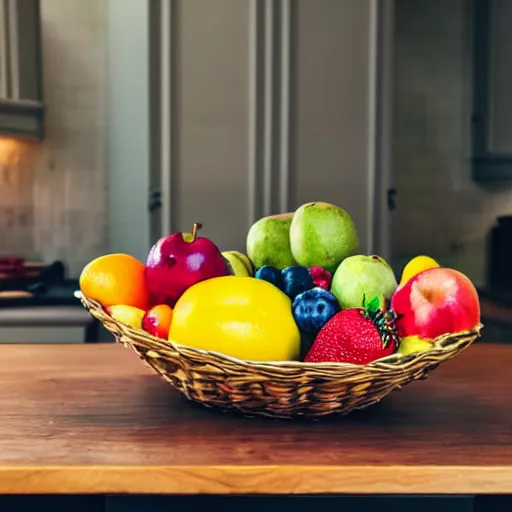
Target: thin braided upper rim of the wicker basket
<point x="441" y="345"/>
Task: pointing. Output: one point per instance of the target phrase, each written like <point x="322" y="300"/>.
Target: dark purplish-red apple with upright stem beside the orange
<point x="178" y="261"/>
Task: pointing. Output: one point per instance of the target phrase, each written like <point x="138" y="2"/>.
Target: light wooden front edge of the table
<point x="240" y="480"/>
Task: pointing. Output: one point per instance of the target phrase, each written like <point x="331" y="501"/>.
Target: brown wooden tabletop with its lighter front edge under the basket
<point x="93" y="419"/>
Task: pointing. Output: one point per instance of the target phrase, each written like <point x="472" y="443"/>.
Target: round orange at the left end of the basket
<point x="116" y="279"/>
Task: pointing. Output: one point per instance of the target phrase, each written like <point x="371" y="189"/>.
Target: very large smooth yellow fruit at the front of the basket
<point x="239" y="316"/>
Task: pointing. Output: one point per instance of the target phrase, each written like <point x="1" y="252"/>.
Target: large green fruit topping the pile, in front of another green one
<point x="323" y="235"/>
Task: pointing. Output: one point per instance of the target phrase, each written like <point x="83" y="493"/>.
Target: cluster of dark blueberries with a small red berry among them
<point x="308" y="288"/>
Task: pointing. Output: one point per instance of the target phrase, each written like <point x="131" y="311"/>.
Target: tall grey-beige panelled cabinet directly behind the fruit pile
<point x="250" y="108"/>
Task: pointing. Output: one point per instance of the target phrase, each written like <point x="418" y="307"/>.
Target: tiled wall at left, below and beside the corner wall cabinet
<point x="53" y="194"/>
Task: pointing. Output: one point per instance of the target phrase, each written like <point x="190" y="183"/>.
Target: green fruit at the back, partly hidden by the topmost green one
<point x="268" y="242"/>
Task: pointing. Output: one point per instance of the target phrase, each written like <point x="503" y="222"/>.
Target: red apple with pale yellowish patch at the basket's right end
<point x="435" y="302"/>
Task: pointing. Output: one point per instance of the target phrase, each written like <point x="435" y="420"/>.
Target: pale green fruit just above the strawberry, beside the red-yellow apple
<point x="360" y="278"/>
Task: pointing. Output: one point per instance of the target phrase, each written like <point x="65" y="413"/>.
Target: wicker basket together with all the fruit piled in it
<point x="303" y="325"/>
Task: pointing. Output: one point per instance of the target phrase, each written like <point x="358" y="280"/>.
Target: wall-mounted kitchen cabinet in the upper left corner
<point x="21" y="98"/>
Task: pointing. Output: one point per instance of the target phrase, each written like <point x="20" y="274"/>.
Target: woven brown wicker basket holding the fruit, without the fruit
<point x="279" y="389"/>
